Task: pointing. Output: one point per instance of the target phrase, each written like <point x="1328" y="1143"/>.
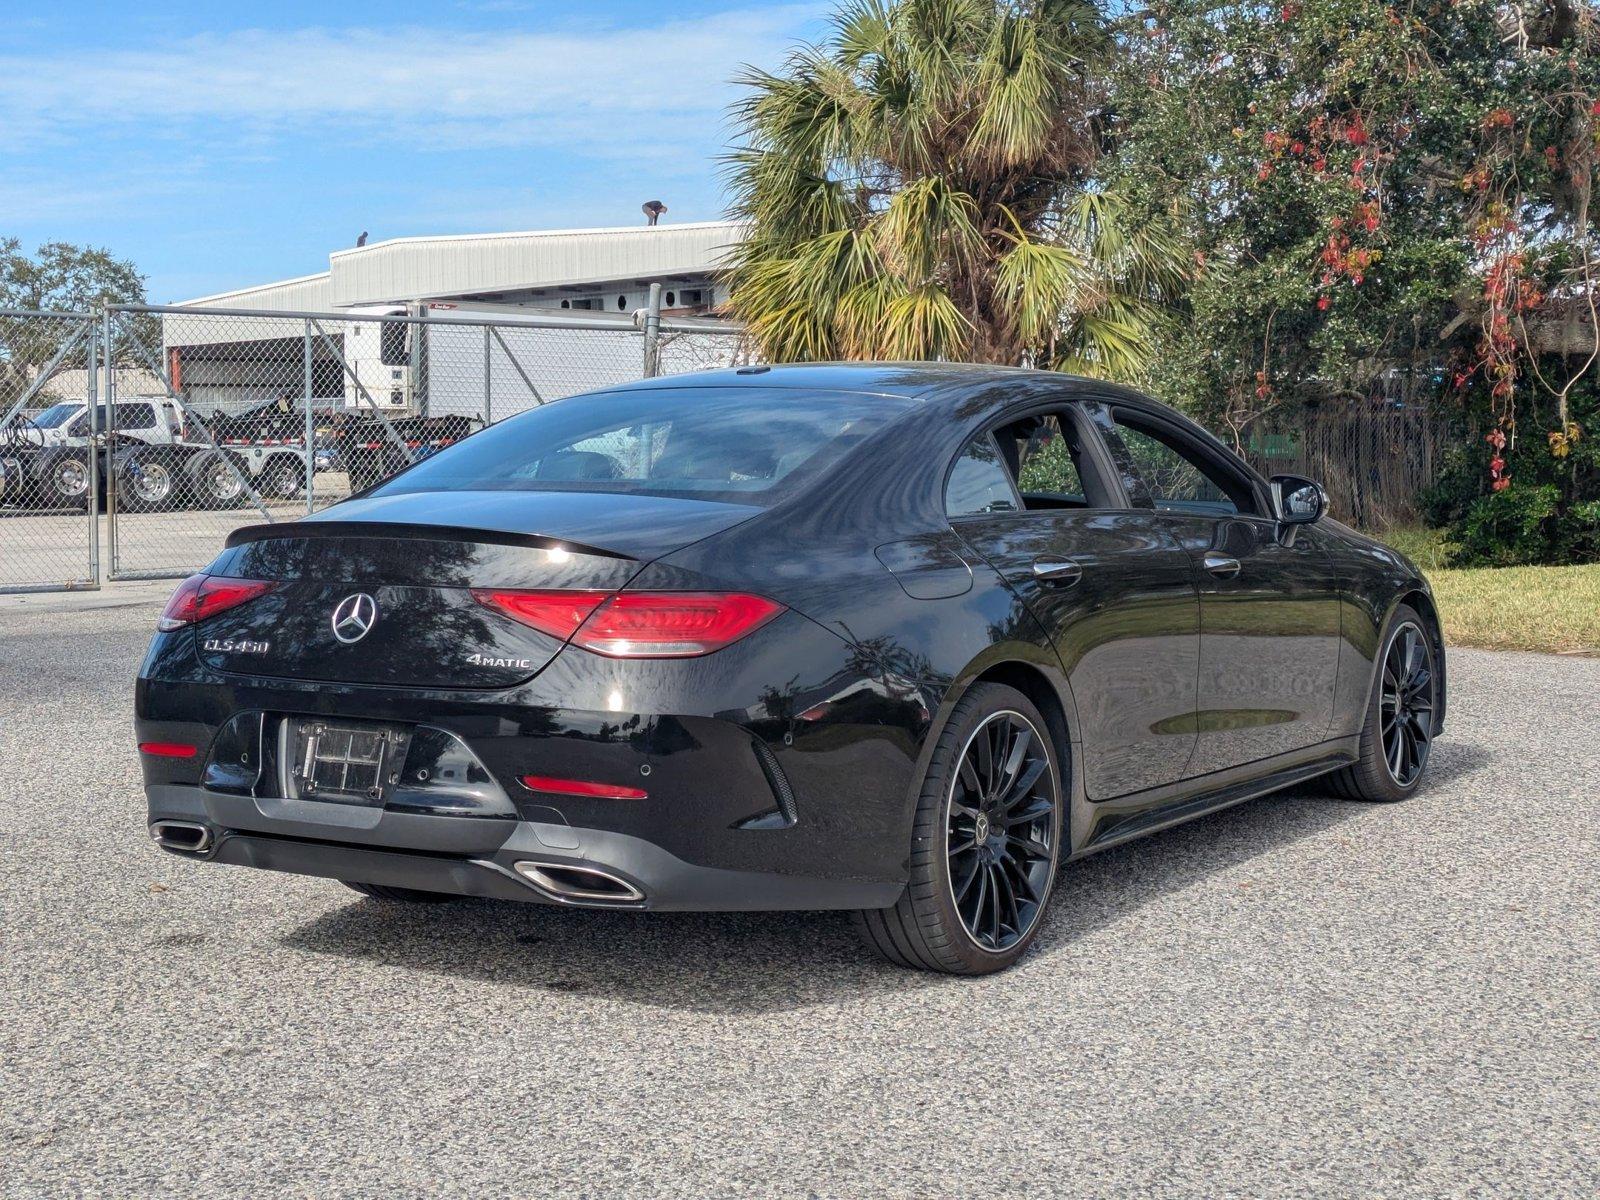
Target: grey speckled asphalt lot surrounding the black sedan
<point x="1297" y="998"/>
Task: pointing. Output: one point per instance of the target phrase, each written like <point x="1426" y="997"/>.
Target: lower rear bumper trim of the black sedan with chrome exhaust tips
<point x="481" y="857"/>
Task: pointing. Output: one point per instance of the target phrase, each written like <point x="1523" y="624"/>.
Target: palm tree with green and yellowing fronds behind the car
<point x="922" y="186"/>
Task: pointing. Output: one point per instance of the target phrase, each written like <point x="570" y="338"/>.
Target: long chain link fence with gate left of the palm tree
<point x="142" y="438"/>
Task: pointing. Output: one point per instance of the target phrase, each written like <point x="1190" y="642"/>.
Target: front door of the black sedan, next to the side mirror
<point x="1270" y="594"/>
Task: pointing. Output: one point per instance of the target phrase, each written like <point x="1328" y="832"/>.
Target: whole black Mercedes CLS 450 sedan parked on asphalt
<point x="895" y="639"/>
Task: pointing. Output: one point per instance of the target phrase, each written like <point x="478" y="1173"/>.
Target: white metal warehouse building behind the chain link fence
<point x="566" y="310"/>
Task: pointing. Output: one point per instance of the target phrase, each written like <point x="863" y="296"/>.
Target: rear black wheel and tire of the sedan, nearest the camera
<point x="1001" y="834"/>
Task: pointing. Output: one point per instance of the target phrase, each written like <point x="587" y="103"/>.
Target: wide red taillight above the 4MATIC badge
<point x="639" y="625"/>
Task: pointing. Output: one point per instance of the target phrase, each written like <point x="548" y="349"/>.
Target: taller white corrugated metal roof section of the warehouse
<point x="423" y="268"/>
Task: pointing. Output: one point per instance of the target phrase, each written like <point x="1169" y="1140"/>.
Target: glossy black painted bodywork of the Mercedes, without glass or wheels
<point x="1159" y="674"/>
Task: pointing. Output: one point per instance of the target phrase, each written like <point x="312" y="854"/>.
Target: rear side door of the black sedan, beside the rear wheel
<point x="1038" y="498"/>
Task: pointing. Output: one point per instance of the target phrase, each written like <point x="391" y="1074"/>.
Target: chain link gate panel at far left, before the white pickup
<point x="49" y="479"/>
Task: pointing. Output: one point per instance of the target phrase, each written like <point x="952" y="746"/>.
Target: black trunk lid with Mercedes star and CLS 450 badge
<point x="420" y="625"/>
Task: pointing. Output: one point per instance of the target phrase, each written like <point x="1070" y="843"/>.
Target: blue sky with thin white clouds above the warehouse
<point x="225" y="145"/>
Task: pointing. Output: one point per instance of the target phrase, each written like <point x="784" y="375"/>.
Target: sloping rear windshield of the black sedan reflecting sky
<point x="748" y="446"/>
